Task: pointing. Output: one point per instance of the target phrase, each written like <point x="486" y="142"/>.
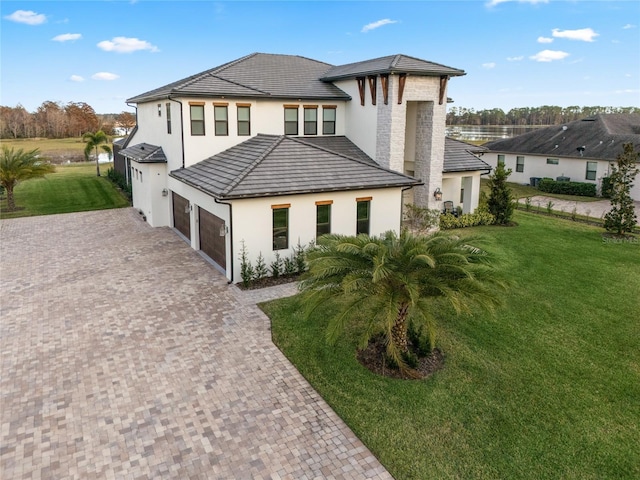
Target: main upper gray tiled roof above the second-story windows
<point x="256" y="75"/>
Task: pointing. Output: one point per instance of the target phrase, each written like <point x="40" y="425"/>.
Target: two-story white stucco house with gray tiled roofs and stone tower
<point x="269" y="151"/>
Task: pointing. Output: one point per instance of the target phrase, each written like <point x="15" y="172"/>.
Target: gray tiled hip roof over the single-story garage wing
<point x="271" y="165"/>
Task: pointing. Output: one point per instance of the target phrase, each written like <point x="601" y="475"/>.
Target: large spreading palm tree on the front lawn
<point x="384" y="284"/>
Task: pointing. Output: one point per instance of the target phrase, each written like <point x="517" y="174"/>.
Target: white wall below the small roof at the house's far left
<point x="147" y="182"/>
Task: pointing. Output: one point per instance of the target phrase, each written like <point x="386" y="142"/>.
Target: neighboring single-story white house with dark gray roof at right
<point x="582" y="150"/>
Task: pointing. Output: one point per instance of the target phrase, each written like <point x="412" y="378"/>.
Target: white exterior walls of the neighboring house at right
<point x="574" y="168"/>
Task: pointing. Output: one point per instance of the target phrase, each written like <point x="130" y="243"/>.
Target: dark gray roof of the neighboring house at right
<point x="598" y="137"/>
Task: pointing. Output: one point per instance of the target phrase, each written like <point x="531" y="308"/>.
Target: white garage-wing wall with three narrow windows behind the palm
<point x="252" y="220"/>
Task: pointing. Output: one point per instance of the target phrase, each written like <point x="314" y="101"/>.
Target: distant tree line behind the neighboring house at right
<point x="544" y="115"/>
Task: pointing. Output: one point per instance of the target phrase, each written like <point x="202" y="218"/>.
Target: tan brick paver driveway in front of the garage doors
<point x="125" y="355"/>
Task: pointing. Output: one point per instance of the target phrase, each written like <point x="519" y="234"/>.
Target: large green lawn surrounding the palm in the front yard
<point x="547" y="388"/>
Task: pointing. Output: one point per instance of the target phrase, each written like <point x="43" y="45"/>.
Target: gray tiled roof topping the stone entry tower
<point x="391" y="64"/>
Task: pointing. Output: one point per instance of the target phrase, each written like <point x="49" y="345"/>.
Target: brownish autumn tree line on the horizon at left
<point x="58" y="120"/>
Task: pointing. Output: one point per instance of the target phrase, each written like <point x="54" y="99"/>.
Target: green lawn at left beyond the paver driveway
<point x="72" y="188"/>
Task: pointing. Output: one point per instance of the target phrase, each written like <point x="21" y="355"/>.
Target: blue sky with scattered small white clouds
<point x="517" y="53"/>
